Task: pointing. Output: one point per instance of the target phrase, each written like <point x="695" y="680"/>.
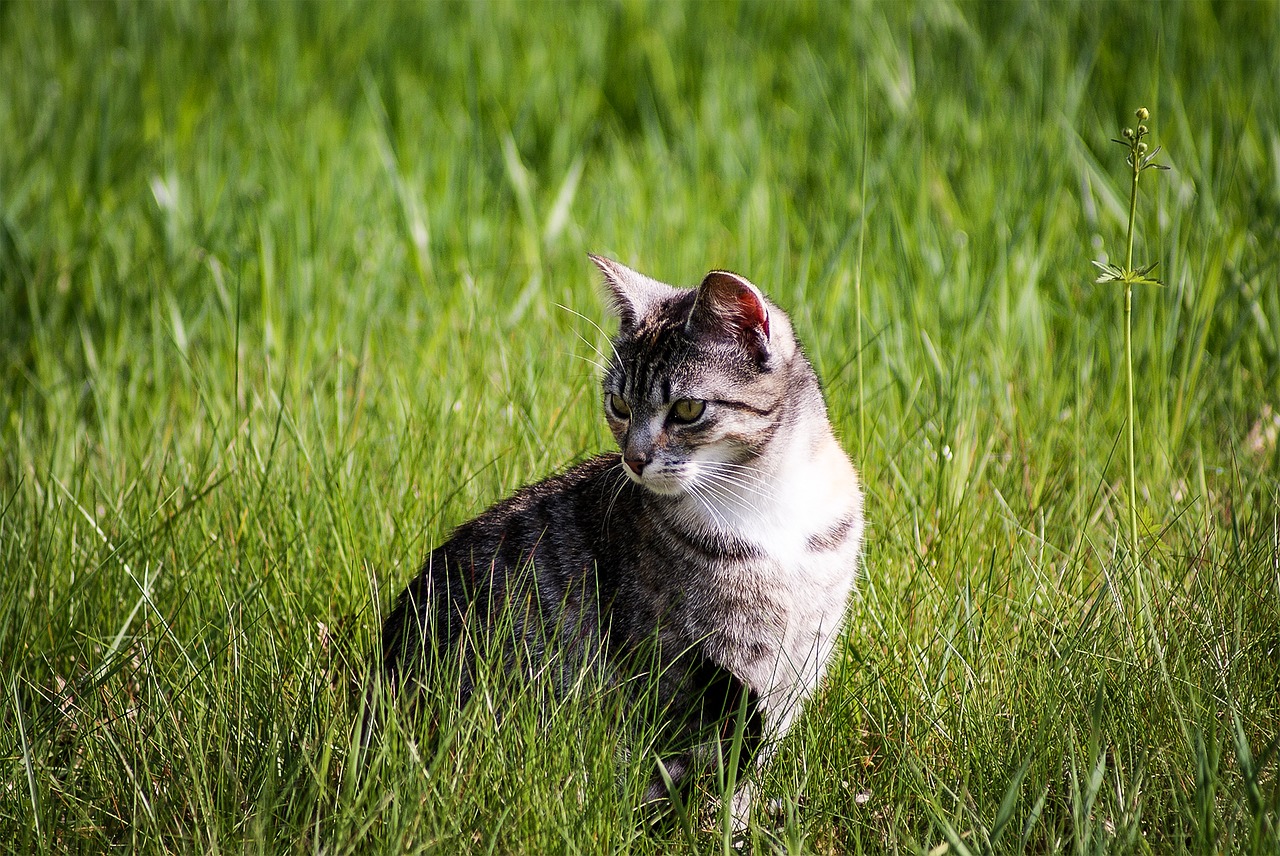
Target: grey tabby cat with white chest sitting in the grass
<point x="715" y="551"/>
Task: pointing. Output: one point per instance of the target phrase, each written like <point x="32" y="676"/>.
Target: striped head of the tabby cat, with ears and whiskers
<point x="701" y="382"/>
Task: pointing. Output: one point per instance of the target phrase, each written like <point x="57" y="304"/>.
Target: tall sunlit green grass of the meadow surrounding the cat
<point x="281" y="296"/>
